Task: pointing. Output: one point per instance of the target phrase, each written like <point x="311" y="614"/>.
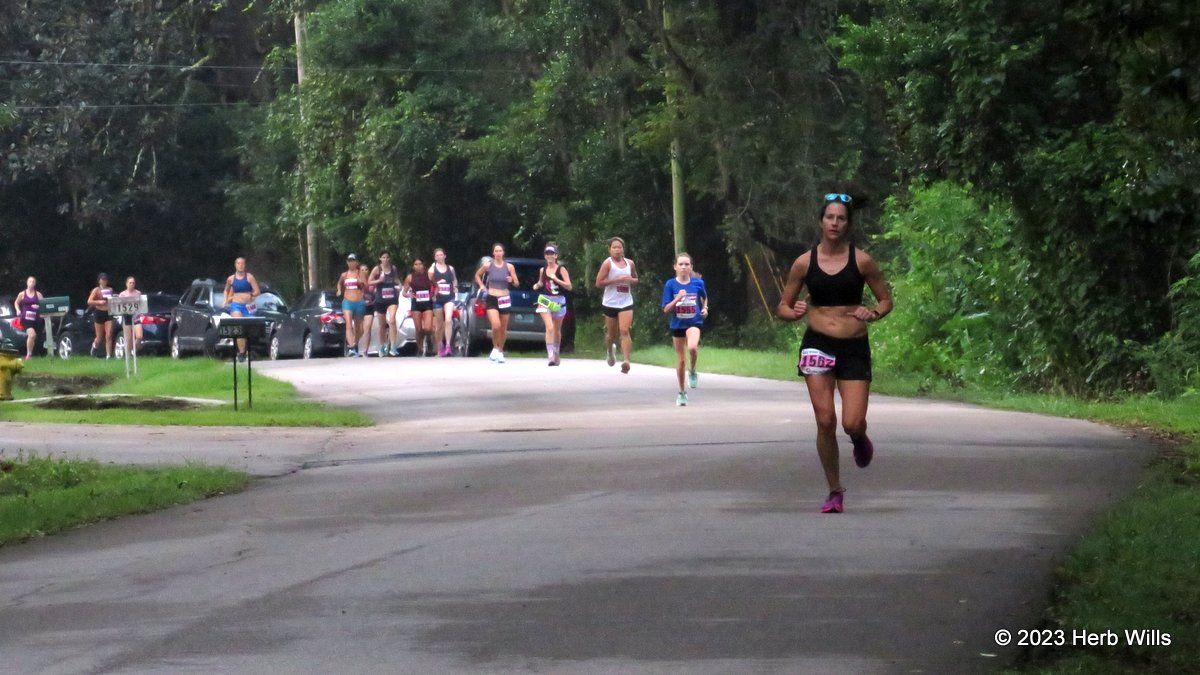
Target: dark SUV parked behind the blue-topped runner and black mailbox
<point x="195" y="320"/>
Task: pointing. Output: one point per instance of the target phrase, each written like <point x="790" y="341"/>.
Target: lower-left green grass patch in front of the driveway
<point x="43" y="497"/>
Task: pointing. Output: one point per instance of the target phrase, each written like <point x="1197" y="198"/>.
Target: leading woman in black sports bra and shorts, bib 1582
<point x="835" y="353"/>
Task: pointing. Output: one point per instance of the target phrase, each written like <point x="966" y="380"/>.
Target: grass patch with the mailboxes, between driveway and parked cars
<point x="277" y="403"/>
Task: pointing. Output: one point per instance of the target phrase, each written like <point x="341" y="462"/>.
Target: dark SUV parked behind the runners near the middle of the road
<point x="525" y="325"/>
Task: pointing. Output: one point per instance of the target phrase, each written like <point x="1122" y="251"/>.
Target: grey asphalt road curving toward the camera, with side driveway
<point x="524" y="518"/>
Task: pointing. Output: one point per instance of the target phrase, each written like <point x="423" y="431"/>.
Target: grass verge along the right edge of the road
<point x="1139" y="570"/>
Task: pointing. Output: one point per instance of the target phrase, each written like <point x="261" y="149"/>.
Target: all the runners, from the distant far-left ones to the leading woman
<point x="835" y="353"/>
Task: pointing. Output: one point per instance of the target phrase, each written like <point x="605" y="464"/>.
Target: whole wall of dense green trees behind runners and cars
<point x="1030" y="174"/>
